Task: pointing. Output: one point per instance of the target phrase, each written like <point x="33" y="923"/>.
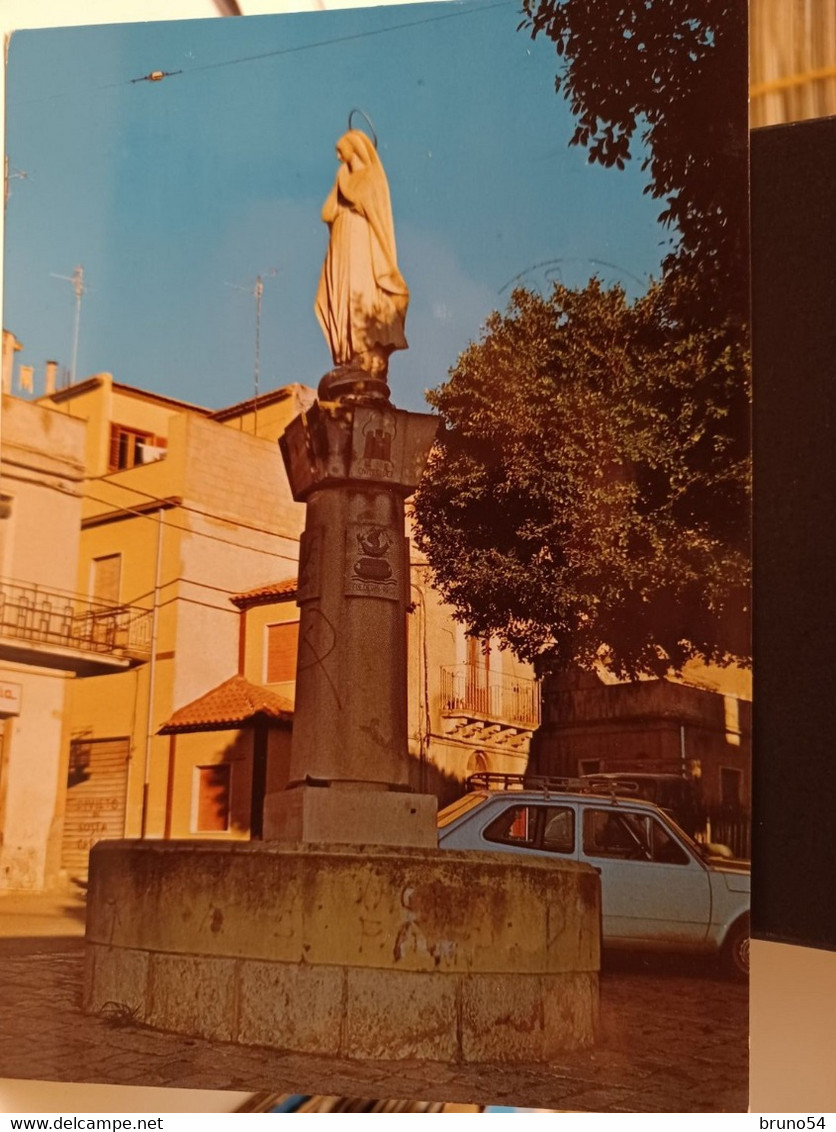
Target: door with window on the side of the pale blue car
<point x="653" y="888"/>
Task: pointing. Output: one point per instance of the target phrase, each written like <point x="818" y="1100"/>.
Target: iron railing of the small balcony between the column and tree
<point x="496" y="697"/>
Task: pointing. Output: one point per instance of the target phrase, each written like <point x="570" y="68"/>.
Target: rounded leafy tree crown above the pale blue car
<point x="589" y="498"/>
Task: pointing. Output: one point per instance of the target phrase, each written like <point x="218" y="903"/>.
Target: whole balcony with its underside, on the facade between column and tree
<point x="489" y="707"/>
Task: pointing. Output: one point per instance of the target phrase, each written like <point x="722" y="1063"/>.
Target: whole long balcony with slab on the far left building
<point x="56" y="629"/>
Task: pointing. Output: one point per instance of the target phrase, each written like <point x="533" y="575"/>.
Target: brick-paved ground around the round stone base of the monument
<point x="674" y="1039"/>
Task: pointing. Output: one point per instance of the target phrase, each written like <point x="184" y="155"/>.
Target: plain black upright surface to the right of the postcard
<point x="794" y="200"/>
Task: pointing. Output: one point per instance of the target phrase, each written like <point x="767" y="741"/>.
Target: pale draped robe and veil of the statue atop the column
<point x="363" y="298"/>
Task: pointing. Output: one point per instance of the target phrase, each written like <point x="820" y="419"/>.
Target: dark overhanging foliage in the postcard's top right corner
<point x="676" y="73"/>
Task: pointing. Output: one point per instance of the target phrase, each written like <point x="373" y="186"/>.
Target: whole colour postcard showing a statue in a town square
<point x="375" y="654"/>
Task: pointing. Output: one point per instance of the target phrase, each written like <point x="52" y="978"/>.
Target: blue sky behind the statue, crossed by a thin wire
<point x="169" y="192"/>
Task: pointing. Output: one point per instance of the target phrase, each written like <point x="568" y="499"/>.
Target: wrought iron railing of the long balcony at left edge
<point x="47" y="618"/>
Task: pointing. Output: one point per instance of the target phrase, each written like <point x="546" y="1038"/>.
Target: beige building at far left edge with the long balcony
<point x="53" y="639"/>
